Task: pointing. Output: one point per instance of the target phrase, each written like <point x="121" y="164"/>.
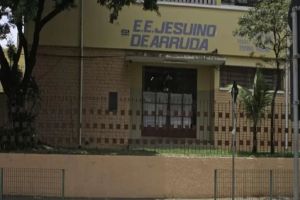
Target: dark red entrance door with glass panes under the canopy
<point x="169" y="97"/>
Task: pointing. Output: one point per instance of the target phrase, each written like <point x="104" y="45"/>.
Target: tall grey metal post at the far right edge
<point x="295" y="106"/>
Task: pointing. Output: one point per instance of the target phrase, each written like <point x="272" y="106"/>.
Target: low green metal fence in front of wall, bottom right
<point x="253" y="184"/>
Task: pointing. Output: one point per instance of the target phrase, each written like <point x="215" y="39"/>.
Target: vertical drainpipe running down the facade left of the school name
<point x="81" y="74"/>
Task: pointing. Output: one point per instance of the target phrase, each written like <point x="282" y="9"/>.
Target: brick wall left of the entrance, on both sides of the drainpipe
<point x="58" y="75"/>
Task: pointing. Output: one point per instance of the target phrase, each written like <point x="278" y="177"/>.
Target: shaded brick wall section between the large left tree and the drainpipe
<point x="57" y="73"/>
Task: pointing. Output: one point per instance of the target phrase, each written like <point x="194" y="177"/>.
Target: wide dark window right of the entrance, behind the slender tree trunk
<point x="244" y="76"/>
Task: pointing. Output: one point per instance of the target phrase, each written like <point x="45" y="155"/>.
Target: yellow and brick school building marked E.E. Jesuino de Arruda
<point x="150" y="76"/>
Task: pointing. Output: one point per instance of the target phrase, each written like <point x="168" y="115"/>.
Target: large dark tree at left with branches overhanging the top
<point x="21" y="88"/>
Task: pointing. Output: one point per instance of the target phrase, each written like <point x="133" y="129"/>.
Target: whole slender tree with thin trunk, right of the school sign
<point x="266" y="26"/>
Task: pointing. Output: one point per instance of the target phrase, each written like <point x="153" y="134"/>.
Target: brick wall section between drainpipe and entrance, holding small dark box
<point x="105" y="71"/>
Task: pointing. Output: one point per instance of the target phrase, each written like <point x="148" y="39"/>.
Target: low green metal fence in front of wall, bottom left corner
<point x="29" y="183"/>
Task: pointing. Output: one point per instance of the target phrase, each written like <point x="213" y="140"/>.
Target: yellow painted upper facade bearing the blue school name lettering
<point x="185" y="29"/>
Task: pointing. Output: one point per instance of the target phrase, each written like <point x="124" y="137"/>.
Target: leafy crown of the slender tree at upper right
<point x="266" y="25"/>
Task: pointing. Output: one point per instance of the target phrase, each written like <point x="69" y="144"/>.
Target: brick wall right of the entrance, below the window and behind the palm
<point x="223" y="125"/>
